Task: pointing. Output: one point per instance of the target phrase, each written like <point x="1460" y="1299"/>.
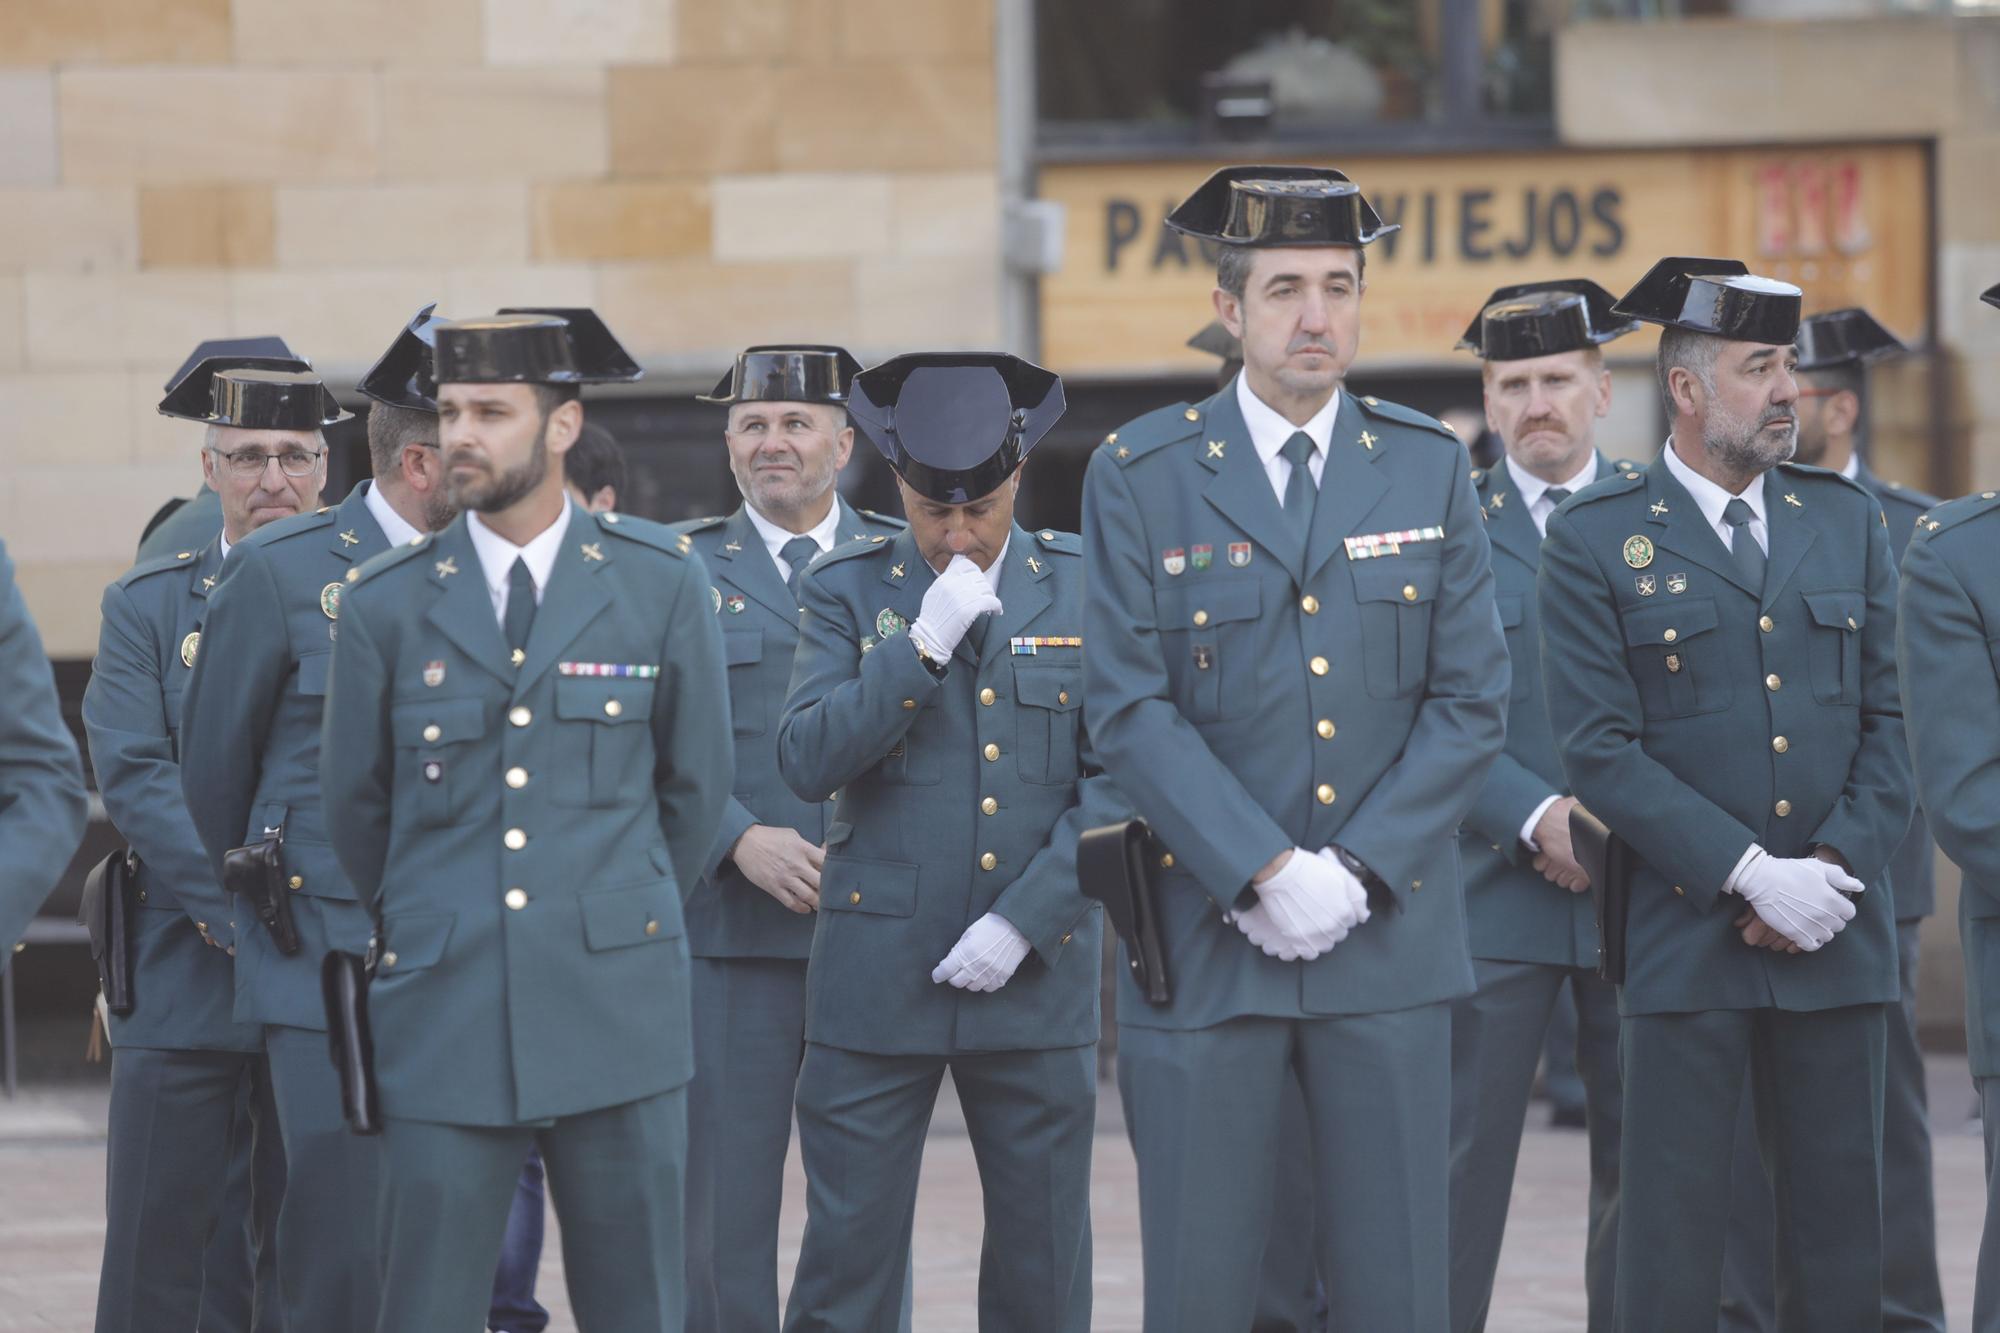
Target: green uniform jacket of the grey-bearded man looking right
<point x="1671" y="688"/>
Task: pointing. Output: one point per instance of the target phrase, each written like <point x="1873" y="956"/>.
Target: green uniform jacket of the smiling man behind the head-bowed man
<point x="729" y="918"/>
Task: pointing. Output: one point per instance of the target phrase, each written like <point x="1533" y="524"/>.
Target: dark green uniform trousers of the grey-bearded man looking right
<point x="1817" y="1084"/>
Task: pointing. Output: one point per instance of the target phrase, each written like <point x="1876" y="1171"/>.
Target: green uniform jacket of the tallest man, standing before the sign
<point x="1253" y="696"/>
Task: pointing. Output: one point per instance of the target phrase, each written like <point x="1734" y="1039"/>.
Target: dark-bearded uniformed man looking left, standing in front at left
<point x="525" y="760"/>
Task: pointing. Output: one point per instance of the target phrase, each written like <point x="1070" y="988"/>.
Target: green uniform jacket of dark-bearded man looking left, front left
<point x="525" y="834"/>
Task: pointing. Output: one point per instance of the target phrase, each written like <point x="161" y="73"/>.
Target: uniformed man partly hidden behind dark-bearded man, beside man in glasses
<point x="249" y="770"/>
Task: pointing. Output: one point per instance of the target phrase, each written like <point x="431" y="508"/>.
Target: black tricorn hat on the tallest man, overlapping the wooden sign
<point x="1281" y="207"/>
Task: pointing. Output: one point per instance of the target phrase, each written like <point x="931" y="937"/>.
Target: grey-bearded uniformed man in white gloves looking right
<point x="1721" y="676"/>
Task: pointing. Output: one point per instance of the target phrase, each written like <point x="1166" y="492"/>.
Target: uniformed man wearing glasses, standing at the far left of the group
<point x="181" y="1060"/>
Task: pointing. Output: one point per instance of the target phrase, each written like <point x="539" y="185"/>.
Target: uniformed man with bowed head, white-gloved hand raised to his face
<point x="939" y="692"/>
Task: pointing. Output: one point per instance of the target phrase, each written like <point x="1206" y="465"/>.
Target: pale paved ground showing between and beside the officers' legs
<point x="53" y="1226"/>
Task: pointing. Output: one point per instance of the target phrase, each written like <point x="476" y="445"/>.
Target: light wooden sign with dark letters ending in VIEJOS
<point x="1851" y="225"/>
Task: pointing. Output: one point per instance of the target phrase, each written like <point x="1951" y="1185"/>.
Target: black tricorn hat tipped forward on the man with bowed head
<point x="955" y="425"/>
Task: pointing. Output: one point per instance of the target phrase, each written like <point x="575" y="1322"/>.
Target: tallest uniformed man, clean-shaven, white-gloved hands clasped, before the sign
<point x="1299" y="680"/>
